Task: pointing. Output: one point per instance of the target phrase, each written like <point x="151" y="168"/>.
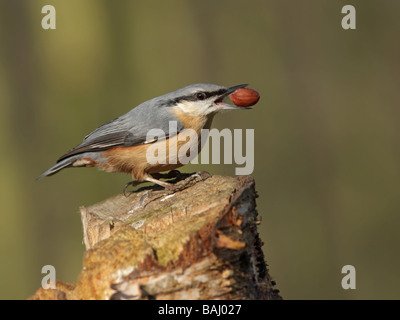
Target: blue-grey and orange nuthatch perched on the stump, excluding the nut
<point x="120" y="145"/>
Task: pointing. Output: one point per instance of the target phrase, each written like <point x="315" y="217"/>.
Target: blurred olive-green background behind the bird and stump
<point x="327" y="135"/>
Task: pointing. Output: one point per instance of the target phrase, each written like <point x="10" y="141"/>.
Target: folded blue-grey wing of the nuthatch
<point x="128" y="130"/>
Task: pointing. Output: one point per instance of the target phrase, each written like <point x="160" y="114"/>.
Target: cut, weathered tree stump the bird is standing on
<point x="199" y="243"/>
